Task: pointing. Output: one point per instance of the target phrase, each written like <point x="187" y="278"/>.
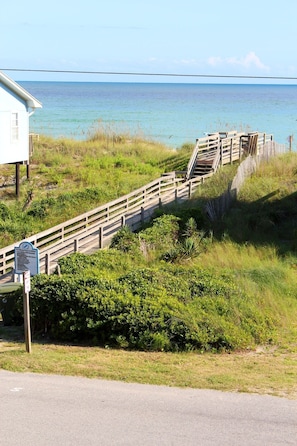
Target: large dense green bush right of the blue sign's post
<point x="171" y="309"/>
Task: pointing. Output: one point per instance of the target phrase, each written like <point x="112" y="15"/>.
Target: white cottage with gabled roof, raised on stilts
<point x="16" y="106"/>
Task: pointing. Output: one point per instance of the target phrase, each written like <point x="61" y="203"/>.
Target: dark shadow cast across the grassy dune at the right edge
<point x="266" y="221"/>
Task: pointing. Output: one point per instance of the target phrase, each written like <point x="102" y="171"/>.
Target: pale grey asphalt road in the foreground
<point x="42" y="410"/>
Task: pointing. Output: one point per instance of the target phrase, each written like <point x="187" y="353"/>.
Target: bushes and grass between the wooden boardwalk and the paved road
<point x="183" y="286"/>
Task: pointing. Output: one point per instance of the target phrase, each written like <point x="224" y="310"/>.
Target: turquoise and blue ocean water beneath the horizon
<point x="169" y="113"/>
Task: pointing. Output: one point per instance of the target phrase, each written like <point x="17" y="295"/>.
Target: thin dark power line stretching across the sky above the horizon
<point x="127" y="73"/>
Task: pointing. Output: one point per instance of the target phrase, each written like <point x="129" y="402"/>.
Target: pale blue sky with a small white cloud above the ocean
<point x="190" y="40"/>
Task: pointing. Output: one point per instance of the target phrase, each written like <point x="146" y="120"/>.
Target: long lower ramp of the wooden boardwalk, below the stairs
<point x="94" y="229"/>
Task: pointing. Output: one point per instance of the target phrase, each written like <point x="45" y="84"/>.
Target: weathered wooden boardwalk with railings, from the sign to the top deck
<point x="94" y="230"/>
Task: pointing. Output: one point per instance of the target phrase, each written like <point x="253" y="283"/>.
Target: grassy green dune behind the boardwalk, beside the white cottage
<point x="69" y="177"/>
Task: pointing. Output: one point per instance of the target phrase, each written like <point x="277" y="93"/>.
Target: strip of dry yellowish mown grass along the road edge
<point x="265" y="371"/>
